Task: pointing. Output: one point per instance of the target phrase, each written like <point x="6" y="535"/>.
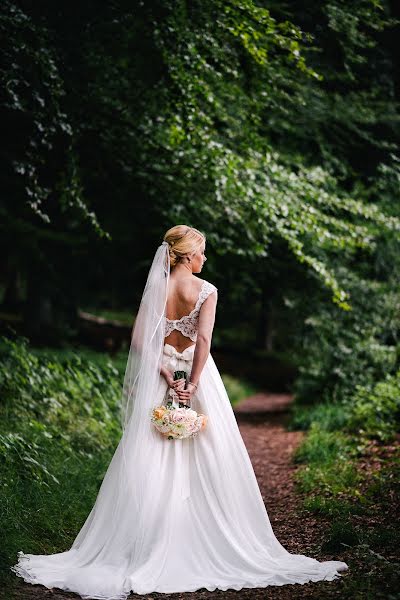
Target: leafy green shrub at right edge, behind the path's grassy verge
<point x="338" y="351"/>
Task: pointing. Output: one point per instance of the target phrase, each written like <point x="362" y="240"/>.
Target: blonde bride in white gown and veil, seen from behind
<point x="184" y="514"/>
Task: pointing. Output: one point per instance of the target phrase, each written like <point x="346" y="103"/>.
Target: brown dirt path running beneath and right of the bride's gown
<point x="261" y="421"/>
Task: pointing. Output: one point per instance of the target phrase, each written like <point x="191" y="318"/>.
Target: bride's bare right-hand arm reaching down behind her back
<point x="203" y="343"/>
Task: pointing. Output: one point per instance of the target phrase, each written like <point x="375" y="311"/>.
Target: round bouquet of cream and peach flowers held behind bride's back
<point x="177" y="422"/>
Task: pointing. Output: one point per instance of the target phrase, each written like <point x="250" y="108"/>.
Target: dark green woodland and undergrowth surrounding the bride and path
<point x="274" y="128"/>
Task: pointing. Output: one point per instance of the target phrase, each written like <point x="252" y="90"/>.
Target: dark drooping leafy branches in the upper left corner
<point x="42" y="167"/>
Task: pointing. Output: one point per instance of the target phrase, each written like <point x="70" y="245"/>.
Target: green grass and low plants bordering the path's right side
<point x="353" y="482"/>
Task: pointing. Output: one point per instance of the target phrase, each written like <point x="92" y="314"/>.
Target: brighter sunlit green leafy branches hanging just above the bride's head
<point x="213" y="134"/>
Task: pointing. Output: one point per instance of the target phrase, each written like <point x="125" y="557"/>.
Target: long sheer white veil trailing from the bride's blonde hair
<point x="127" y="499"/>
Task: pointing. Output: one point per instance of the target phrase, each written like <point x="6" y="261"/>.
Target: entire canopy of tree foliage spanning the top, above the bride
<point x="247" y="121"/>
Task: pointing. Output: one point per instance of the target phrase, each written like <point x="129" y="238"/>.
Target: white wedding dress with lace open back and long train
<point x="204" y="521"/>
